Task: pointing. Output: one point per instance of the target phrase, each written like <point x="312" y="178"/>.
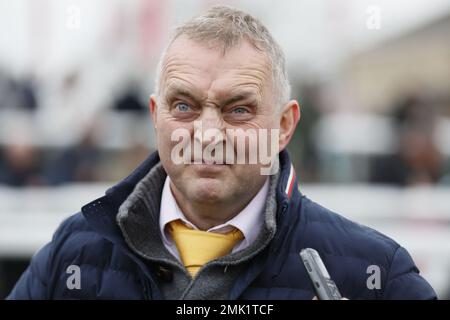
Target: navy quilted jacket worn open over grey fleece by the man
<point x="92" y="240"/>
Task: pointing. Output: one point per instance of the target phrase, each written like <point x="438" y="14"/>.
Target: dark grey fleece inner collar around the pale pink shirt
<point x="138" y="219"/>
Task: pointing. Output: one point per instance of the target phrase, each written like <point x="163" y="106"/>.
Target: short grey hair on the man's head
<point x="228" y="26"/>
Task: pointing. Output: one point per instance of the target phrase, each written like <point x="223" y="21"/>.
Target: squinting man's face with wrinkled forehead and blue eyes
<point x="231" y="91"/>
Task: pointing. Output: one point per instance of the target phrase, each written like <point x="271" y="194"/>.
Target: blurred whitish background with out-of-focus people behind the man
<point x="373" y="79"/>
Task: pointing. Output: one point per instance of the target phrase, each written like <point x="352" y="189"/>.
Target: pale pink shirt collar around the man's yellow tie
<point x="249" y="221"/>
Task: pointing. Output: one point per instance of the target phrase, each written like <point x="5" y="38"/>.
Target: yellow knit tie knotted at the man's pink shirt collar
<point x="198" y="247"/>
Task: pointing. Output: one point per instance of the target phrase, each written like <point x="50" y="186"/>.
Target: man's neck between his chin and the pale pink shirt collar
<point x="206" y="215"/>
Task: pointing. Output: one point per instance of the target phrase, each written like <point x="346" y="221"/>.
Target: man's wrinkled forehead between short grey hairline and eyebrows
<point x="210" y="70"/>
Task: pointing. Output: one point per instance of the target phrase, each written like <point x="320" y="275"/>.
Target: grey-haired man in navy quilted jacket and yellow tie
<point x="192" y="222"/>
